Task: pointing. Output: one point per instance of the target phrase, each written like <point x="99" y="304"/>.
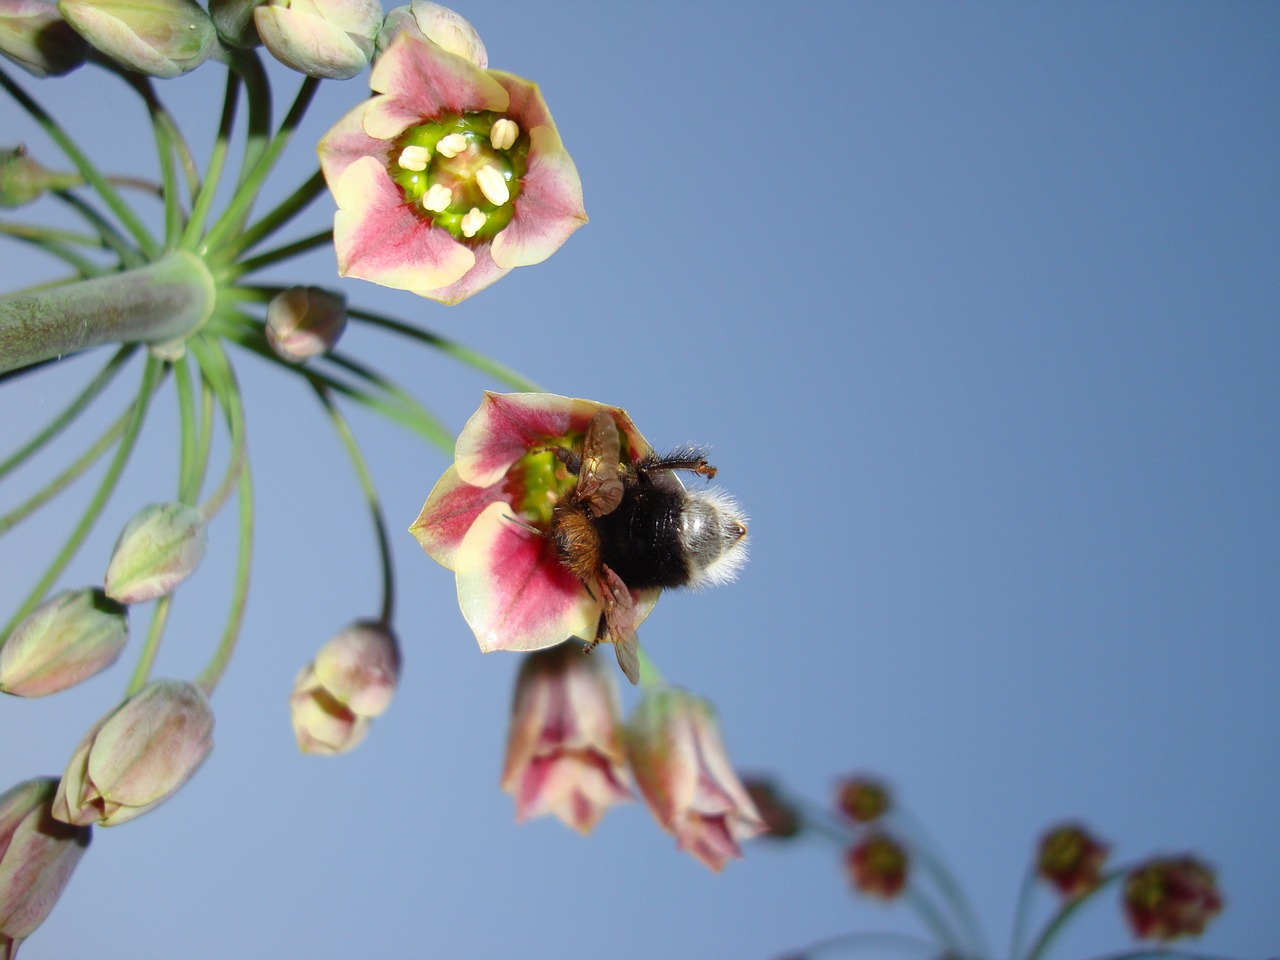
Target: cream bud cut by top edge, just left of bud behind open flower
<point x="332" y="39"/>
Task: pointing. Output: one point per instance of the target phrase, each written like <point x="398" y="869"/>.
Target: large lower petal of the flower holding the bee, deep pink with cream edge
<point x="514" y="592"/>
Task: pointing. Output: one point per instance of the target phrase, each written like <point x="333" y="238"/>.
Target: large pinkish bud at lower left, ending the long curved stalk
<point x="138" y="756"/>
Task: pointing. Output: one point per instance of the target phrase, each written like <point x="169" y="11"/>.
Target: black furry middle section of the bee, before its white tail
<point x="641" y="541"/>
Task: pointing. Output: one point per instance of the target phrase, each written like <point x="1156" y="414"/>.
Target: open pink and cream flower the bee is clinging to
<point x="484" y="516"/>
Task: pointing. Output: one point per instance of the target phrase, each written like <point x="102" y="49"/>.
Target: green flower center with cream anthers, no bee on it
<point x="463" y="172"/>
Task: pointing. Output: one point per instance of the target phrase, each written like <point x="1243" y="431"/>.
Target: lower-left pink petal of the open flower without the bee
<point x="380" y="239"/>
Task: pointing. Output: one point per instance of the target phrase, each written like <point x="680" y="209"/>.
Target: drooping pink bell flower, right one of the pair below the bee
<point x="683" y="770"/>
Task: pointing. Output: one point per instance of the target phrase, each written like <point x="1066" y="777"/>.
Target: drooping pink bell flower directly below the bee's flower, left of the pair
<point x="565" y="747"/>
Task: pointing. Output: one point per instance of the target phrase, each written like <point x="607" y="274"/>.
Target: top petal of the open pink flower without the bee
<point x="420" y="81"/>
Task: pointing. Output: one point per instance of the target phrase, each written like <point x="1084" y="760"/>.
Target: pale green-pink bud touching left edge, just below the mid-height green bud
<point x="67" y="639"/>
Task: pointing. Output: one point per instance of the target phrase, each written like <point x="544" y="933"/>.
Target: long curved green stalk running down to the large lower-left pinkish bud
<point x="220" y="374"/>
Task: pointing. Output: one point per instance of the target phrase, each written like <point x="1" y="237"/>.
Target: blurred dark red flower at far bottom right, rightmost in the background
<point x="1171" y="898"/>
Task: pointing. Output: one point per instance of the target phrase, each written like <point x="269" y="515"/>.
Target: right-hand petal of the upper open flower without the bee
<point x="550" y="207"/>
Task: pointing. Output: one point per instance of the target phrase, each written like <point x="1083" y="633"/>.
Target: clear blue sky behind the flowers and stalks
<point x="977" y="307"/>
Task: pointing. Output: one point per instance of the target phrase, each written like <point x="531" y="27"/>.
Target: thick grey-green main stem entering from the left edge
<point x="163" y="301"/>
